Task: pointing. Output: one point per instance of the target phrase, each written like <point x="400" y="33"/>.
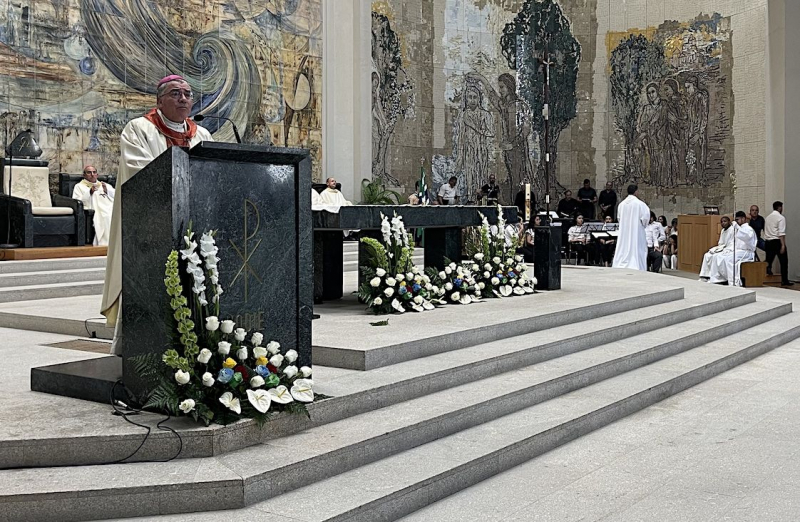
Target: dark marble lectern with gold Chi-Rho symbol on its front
<point x="257" y="200"/>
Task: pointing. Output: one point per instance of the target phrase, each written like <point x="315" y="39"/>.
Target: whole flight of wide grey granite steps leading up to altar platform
<point x="412" y="430"/>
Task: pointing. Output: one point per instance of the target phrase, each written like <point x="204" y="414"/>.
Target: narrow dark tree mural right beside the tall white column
<point x="392" y="94"/>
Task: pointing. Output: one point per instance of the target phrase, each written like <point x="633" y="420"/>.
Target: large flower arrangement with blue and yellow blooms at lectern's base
<point x="217" y="372"/>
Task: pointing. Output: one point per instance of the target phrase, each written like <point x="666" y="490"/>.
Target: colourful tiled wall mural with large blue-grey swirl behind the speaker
<point x="78" y="70"/>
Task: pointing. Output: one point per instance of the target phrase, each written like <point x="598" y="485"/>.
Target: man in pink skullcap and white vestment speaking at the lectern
<point x="142" y="140"/>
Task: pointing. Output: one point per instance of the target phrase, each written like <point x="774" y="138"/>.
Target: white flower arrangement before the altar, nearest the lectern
<point x="392" y="283"/>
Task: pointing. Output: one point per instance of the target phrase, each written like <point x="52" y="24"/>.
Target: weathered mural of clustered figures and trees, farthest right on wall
<point x="670" y="93"/>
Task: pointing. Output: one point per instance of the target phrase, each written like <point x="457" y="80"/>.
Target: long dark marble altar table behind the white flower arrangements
<point x="442" y="224"/>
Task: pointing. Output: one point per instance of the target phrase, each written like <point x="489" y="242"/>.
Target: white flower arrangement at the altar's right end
<point x="499" y="270"/>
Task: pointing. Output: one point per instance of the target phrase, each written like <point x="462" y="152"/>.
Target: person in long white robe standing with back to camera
<point x="634" y="216"/>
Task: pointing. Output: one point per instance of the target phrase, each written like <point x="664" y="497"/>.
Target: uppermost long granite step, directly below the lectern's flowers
<point x="354" y="393"/>
